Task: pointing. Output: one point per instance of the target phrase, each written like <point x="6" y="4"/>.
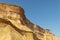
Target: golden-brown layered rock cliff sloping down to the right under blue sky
<point x="15" y="26"/>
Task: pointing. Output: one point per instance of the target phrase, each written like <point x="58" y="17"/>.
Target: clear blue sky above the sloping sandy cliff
<point x="45" y="13"/>
